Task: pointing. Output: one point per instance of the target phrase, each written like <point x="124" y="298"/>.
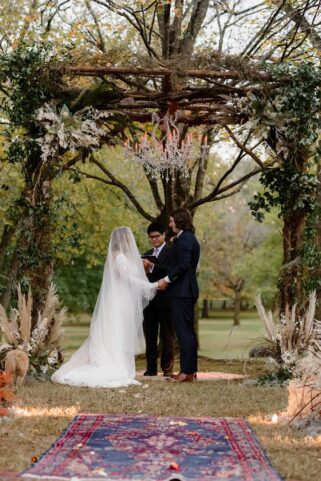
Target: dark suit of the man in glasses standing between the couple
<point x="157" y="319"/>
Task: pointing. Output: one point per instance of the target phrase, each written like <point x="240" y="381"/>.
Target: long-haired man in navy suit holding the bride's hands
<point x="182" y="290"/>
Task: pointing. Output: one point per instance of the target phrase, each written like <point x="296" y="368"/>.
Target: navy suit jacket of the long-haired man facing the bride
<point x="183" y="261"/>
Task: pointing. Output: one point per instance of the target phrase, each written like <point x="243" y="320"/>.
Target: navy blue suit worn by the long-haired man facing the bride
<point x="182" y="293"/>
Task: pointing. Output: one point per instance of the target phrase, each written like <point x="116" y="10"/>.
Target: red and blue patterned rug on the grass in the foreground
<point x="145" y="448"/>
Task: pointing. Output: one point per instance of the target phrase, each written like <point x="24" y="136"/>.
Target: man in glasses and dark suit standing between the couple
<point x="157" y="316"/>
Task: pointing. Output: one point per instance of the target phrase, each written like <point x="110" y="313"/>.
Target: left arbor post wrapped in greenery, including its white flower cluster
<point x="43" y="138"/>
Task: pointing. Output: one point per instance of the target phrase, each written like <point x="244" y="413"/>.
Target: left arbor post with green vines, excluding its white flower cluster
<point x="25" y="86"/>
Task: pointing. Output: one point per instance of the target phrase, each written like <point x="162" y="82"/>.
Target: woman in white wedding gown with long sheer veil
<point x="107" y="357"/>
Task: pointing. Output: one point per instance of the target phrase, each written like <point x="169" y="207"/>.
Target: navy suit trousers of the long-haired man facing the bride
<point x="183" y="321"/>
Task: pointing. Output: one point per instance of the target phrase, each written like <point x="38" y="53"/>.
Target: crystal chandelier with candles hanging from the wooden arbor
<point x="163" y="154"/>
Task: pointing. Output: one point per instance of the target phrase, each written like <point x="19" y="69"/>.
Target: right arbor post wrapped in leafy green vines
<point x="291" y="123"/>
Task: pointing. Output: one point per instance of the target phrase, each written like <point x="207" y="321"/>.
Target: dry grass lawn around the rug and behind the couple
<point x="45" y="409"/>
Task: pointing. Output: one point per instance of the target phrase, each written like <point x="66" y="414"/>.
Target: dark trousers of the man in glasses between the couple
<point x="157" y="319"/>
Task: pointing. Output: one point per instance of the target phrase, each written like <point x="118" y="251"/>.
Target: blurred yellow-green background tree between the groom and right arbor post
<point x="239" y="257"/>
